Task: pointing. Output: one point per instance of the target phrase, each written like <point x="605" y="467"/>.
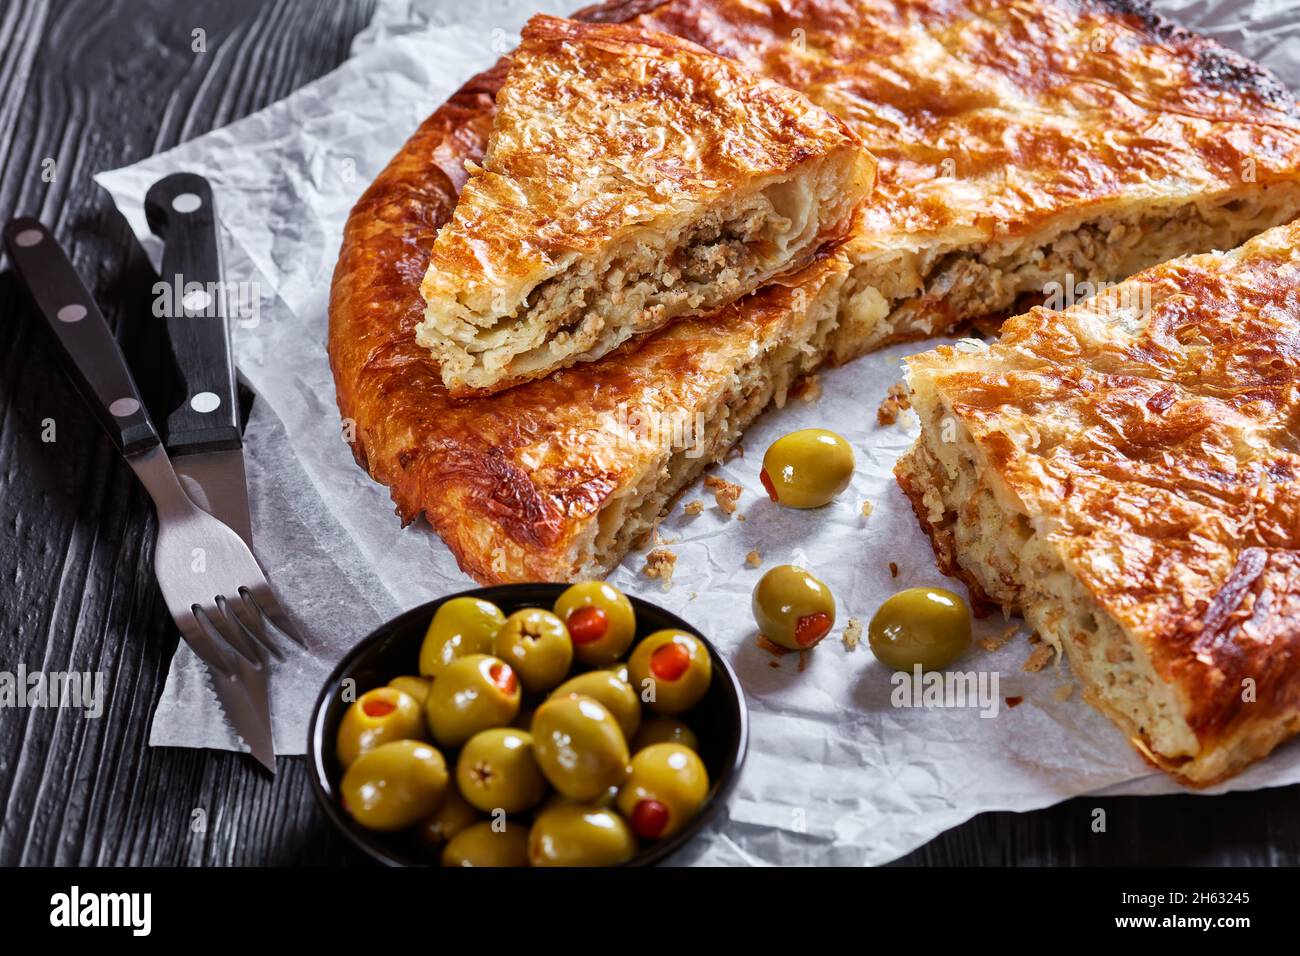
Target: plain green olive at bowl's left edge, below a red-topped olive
<point x="395" y="786"/>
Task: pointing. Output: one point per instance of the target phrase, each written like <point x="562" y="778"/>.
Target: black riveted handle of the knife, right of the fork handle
<point x="181" y="213"/>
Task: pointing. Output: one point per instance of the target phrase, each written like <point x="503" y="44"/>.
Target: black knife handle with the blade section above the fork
<point x="203" y="436"/>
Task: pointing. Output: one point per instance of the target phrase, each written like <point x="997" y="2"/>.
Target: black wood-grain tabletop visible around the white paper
<point x="90" y="85"/>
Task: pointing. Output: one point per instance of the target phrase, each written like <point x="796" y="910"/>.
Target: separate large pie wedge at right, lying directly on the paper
<point x="1128" y="475"/>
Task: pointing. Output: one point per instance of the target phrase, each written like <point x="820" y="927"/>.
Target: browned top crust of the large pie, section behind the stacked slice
<point x="991" y="116"/>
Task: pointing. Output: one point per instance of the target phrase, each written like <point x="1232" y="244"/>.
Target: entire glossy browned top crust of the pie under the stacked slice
<point x="1041" y="127"/>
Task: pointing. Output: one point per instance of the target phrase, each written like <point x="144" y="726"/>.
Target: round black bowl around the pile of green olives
<point x="721" y="720"/>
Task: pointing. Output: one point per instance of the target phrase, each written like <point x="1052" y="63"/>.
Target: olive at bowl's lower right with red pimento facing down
<point x="665" y="790"/>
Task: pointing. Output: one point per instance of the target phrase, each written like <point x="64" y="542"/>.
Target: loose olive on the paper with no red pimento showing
<point x="921" y="626"/>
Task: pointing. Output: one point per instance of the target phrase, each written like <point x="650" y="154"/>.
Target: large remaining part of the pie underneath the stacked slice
<point x="1017" y="141"/>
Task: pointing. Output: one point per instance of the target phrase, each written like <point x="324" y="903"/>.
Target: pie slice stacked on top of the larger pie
<point x="631" y="179"/>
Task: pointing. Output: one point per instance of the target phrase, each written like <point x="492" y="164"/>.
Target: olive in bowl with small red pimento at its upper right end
<point x="474" y="694"/>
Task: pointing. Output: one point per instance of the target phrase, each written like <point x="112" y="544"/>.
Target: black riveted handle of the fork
<point x="92" y="356"/>
